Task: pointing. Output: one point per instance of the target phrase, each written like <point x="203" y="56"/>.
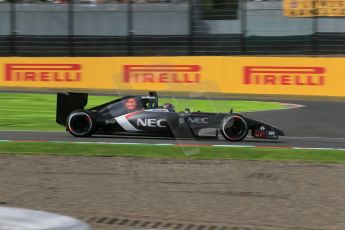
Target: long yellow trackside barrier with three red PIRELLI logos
<point x="238" y="75"/>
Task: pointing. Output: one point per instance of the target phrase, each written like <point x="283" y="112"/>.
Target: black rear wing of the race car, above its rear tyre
<point x="67" y="103"/>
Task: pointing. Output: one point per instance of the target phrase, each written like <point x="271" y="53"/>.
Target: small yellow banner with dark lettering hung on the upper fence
<point x="314" y="8"/>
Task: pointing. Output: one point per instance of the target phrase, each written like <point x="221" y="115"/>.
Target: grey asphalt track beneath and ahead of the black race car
<point x="319" y="124"/>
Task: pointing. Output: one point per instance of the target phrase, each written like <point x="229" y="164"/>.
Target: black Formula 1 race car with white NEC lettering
<point x="141" y="115"/>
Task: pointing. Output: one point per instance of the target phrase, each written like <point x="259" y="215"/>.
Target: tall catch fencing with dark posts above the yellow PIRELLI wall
<point x="164" y="28"/>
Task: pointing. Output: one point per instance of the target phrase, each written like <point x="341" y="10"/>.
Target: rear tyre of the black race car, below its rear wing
<point x="80" y="123"/>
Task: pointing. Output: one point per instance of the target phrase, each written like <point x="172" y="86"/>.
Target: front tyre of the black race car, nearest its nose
<point x="234" y="128"/>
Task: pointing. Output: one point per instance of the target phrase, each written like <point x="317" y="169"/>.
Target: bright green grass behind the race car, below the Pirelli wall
<point x="37" y="111"/>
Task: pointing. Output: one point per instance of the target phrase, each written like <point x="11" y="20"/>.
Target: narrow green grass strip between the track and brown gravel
<point x="199" y="152"/>
